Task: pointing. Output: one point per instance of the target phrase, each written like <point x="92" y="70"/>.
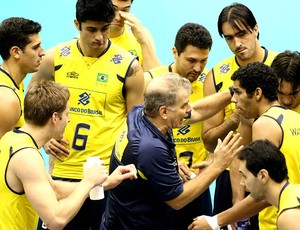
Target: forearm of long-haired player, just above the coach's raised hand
<point x="211" y="136"/>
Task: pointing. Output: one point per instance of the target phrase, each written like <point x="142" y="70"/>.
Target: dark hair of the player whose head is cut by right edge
<point x="286" y="66"/>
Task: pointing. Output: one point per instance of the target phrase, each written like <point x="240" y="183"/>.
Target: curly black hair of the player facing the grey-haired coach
<point x="257" y="75"/>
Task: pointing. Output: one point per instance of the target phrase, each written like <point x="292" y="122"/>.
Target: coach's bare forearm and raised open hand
<point x="224" y="154"/>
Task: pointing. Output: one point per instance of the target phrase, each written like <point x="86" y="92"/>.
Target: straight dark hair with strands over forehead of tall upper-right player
<point x="236" y="14"/>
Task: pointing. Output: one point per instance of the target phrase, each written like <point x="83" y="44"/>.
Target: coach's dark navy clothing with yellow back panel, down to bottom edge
<point x="140" y="204"/>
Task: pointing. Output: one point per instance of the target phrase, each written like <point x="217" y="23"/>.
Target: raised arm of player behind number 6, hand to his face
<point x="145" y="39"/>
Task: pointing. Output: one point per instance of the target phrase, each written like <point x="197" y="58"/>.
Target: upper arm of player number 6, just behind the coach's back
<point x="134" y="85"/>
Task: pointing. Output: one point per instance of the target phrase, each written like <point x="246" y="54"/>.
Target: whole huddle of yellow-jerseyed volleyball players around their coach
<point x="164" y="133"/>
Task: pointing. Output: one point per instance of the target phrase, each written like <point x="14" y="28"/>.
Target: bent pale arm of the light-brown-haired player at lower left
<point x="39" y="188"/>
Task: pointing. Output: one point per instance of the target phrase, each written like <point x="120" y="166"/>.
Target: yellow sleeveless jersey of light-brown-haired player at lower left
<point x="16" y="212"/>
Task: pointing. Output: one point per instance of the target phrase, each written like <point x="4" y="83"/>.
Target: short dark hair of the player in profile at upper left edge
<point x="15" y="31"/>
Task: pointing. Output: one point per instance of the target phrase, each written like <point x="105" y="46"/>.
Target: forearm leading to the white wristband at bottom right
<point x="243" y="210"/>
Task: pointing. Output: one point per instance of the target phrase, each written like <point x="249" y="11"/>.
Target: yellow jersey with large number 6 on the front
<point x="97" y="103"/>
